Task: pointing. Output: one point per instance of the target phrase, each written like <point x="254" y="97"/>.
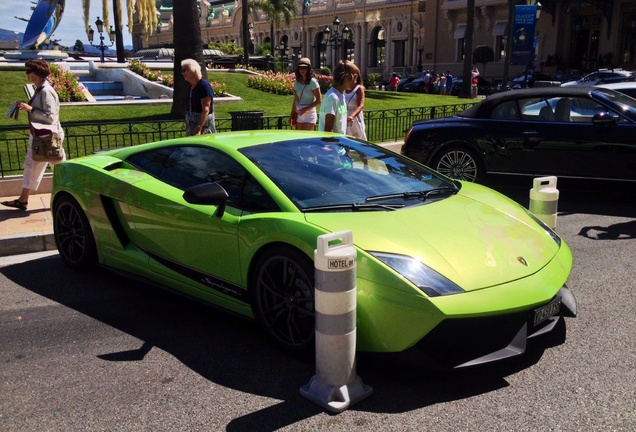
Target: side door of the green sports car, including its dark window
<point x="190" y="240"/>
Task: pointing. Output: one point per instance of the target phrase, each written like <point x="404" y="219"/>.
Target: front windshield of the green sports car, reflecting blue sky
<point x="343" y="174"/>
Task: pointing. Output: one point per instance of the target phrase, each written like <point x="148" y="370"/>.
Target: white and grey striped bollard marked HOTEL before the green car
<point x="335" y="386"/>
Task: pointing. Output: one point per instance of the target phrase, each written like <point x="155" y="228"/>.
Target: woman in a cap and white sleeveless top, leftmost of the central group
<point x="307" y="98"/>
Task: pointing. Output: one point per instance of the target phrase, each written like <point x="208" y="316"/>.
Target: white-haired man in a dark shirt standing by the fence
<point x="200" y="115"/>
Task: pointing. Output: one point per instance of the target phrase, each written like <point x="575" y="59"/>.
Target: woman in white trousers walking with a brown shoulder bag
<point x="47" y="135"/>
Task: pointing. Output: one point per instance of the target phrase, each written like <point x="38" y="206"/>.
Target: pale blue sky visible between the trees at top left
<point x="71" y="26"/>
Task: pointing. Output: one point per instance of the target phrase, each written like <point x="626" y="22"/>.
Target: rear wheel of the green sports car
<point x="73" y="234"/>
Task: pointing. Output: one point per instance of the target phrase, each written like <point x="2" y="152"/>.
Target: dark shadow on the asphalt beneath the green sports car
<point x="204" y="339"/>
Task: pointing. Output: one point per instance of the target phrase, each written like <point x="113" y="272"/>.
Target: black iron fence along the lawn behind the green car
<point x="85" y="138"/>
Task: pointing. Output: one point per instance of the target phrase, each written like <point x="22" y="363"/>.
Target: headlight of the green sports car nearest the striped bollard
<point x="419" y="274"/>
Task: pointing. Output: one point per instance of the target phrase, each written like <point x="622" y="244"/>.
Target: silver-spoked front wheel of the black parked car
<point x="460" y="163"/>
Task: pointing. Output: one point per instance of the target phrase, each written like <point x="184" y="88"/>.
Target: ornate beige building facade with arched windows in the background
<point x="405" y="36"/>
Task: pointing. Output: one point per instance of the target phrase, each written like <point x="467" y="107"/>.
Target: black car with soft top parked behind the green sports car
<point x="564" y="131"/>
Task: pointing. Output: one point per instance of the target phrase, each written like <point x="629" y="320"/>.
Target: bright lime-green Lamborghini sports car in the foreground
<point x="452" y="268"/>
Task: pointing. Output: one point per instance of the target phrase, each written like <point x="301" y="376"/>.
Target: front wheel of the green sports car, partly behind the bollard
<point x="283" y="297"/>
